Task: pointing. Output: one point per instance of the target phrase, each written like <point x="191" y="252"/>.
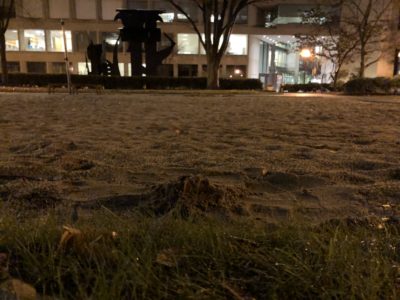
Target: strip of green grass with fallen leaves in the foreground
<point x="169" y="258"/>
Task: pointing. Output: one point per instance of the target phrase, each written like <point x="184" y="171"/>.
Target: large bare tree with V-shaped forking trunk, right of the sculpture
<point x="218" y="19"/>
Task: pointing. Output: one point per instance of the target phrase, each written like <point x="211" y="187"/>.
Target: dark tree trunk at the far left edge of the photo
<point x="7" y="11"/>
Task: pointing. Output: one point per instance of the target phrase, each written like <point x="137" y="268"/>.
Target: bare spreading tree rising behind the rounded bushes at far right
<point x="367" y="21"/>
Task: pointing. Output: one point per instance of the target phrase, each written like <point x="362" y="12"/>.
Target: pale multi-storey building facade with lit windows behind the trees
<point x="262" y="42"/>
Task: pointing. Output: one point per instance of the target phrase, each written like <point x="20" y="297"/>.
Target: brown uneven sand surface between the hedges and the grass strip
<point x="280" y="157"/>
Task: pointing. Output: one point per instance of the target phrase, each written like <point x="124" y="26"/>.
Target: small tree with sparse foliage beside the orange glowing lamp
<point x="336" y="43"/>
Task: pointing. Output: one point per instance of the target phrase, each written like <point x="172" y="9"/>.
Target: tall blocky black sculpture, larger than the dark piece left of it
<point x="140" y="27"/>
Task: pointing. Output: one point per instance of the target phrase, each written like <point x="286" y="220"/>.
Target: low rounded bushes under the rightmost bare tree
<point x="372" y="86"/>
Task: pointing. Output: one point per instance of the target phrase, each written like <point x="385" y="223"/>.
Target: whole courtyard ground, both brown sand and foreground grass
<point x="199" y="195"/>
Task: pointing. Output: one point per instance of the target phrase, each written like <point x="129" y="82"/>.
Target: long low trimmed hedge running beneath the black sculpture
<point x="132" y="83"/>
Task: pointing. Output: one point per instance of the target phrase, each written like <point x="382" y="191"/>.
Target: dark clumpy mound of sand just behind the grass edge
<point x="185" y="197"/>
